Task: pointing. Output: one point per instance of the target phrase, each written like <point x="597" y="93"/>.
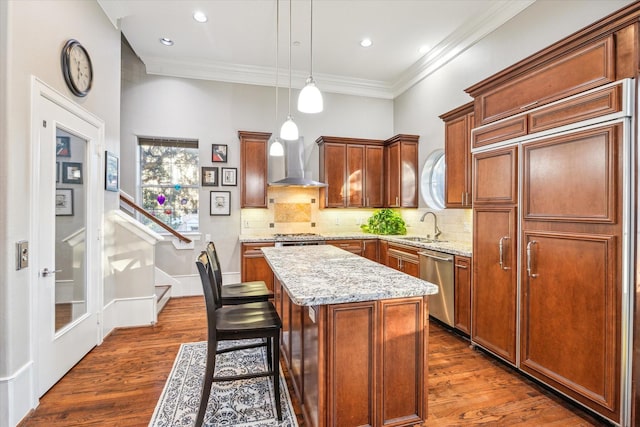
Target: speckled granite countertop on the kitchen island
<point x="326" y="274"/>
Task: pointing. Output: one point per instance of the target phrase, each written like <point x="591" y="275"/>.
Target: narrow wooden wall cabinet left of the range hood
<point x="253" y="169"/>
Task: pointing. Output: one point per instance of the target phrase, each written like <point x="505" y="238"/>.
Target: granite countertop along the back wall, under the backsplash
<point x="450" y="247"/>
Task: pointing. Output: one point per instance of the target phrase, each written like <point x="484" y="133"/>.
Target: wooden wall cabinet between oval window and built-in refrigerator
<point x="458" y="124"/>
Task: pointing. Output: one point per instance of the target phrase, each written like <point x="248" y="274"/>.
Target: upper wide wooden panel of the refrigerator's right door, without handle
<point x="572" y="177"/>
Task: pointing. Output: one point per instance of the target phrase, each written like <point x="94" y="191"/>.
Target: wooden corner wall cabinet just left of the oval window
<point x="401" y="170"/>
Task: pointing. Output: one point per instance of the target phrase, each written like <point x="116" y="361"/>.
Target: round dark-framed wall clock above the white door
<point x="76" y="68"/>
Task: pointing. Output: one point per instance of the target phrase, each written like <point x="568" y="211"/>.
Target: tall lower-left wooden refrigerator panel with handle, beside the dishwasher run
<point x="493" y="323"/>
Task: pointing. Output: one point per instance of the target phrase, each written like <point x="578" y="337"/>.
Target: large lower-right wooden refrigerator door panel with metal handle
<point x="570" y="301"/>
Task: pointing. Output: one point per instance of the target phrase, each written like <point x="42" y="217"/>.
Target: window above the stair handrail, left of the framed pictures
<point x="169" y="182"/>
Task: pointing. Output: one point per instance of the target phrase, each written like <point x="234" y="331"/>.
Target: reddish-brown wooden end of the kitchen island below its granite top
<point x="364" y="363"/>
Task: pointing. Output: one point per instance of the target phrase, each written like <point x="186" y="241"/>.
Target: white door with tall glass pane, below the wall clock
<point x="66" y="255"/>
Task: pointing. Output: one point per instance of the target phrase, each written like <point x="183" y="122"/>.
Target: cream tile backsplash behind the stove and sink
<point x="297" y="210"/>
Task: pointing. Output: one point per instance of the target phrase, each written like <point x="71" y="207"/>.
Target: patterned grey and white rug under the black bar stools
<point x="242" y="403"/>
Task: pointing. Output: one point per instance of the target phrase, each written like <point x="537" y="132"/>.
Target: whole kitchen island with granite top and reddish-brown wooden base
<point x="355" y="336"/>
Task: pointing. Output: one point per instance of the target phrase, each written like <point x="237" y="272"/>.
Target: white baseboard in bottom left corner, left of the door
<point x="13" y="406"/>
